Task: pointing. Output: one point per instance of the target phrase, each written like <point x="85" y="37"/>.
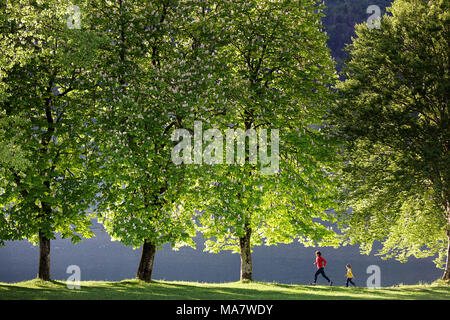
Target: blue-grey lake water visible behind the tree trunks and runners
<point x="102" y="259"/>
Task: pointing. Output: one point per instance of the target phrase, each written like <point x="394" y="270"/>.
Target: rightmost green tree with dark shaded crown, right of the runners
<point x="393" y="113"/>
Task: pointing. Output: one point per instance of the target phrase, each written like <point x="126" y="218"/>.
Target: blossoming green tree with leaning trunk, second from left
<point x="154" y="73"/>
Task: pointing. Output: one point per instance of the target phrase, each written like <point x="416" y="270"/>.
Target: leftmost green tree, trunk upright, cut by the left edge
<point x="44" y="107"/>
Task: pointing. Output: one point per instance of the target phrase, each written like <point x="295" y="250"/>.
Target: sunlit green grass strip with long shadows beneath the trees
<point x="166" y="290"/>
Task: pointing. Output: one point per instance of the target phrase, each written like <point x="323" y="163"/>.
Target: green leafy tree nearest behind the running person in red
<point x="278" y="68"/>
